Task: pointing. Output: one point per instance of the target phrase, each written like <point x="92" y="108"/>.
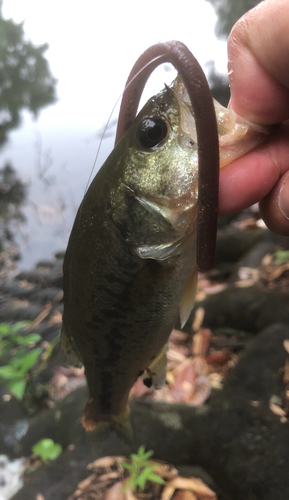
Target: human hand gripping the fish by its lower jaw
<point x="258" y="51"/>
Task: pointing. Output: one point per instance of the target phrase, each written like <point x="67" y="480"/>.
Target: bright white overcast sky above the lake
<point x="93" y="45"/>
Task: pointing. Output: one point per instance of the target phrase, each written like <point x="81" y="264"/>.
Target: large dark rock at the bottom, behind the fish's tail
<point x="235" y="436"/>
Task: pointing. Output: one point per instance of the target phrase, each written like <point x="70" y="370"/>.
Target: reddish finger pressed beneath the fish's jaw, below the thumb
<point x="251" y="177"/>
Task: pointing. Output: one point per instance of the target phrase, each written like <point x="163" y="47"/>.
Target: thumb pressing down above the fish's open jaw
<point x="258" y="48"/>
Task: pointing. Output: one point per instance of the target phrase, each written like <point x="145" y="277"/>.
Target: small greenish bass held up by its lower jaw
<point x="130" y="268"/>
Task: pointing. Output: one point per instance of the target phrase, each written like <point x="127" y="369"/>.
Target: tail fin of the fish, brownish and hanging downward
<point x="102" y="427"/>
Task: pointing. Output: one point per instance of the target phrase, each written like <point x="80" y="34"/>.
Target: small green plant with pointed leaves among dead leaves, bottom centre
<point x="140" y="470"/>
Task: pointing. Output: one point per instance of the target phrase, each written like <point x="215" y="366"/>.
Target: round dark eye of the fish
<point x="152" y="132"/>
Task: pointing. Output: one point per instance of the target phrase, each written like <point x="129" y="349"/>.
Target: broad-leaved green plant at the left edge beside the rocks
<point x="16" y="356"/>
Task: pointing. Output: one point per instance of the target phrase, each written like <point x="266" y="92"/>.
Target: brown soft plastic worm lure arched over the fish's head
<point x="199" y="92"/>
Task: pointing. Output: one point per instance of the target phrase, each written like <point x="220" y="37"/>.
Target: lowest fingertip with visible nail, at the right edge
<point x="274" y="207"/>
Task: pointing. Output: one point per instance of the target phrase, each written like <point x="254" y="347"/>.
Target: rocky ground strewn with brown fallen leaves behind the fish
<point x="223" y="414"/>
